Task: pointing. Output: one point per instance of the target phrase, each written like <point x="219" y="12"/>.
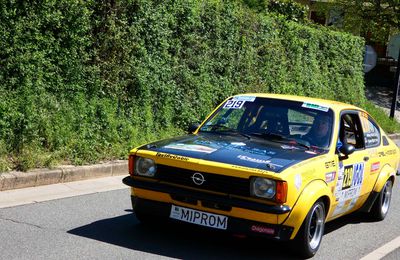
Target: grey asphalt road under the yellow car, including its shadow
<point x="102" y="226"/>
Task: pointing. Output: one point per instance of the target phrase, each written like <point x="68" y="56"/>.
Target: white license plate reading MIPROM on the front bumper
<point x="199" y="217"/>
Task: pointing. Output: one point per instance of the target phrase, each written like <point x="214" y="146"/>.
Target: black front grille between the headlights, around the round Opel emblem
<point x="213" y="182"/>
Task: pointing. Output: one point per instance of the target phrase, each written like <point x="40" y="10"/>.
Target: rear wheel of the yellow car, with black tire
<point x="381" y="205"/>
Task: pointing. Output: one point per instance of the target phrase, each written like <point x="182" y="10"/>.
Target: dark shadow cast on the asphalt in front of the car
<point x="180" y="241"/>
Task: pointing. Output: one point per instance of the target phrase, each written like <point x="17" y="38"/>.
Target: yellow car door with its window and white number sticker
<point x="351" y="186"/>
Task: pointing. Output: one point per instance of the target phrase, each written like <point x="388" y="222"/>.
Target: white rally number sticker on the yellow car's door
<point x="350" y="180"/>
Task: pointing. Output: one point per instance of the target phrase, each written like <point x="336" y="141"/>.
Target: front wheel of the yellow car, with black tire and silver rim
<point x="309" y="237"/>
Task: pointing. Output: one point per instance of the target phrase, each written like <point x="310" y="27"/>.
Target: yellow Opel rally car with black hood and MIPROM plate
<point x="272" y="165"/>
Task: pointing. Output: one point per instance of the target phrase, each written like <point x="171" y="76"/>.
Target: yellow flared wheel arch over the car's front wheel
<point x="311" y="193"/>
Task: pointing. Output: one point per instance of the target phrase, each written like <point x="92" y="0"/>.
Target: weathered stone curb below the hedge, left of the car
<point x="17" y="180"/>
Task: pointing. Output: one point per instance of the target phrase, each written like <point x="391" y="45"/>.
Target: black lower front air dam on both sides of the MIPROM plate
<point x="235" y="225"/>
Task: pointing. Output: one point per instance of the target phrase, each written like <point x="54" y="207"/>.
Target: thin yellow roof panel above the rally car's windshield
<point x="334" y="105"/>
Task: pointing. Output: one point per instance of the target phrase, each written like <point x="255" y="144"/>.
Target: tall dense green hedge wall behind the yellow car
<point x="83" y="81"/>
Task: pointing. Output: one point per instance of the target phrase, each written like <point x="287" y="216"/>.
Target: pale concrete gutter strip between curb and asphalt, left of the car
<point x="10" y="198"/>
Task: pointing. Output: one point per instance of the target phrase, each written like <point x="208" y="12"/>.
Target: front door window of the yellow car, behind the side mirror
<point x="350" y="130"/>
